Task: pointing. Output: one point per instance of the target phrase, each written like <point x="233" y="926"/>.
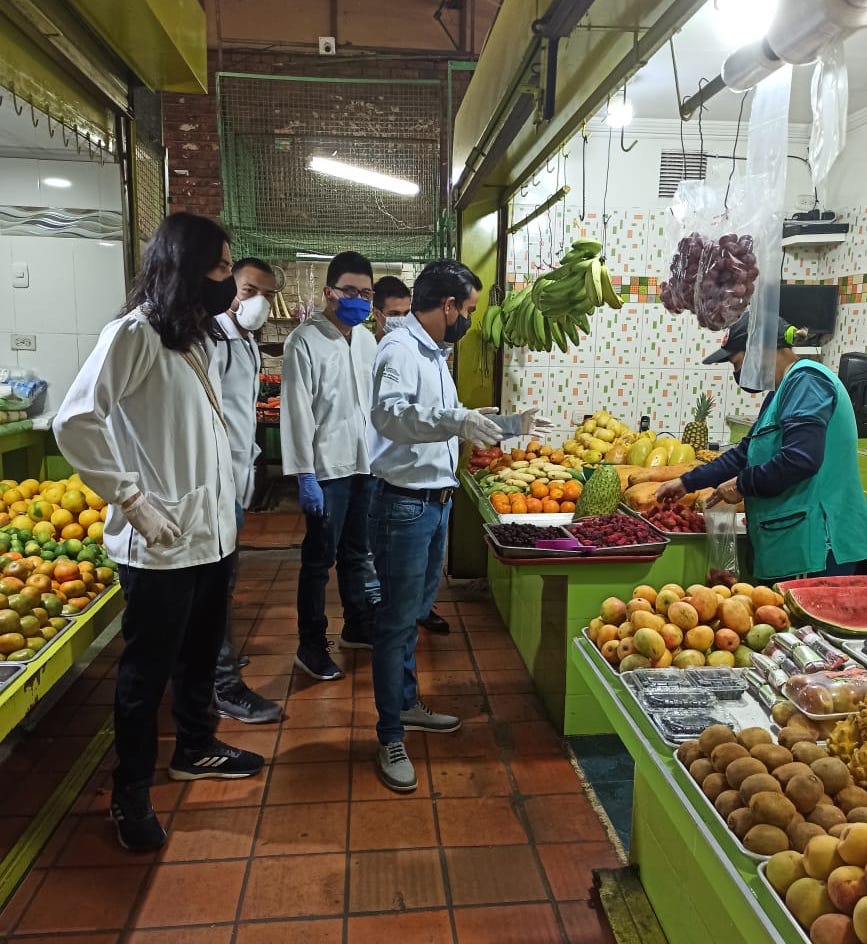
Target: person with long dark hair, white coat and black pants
<point x="142" y="424"/>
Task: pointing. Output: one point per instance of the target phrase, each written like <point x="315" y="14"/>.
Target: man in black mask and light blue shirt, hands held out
<point x="418" y="421"/>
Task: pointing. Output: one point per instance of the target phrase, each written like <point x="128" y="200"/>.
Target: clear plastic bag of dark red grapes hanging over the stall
<point x="713" y="267"/>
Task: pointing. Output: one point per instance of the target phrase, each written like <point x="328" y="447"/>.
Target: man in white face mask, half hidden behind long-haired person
<point x="238" y="363"/>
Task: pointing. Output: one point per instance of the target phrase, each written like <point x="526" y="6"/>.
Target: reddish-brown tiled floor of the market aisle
<point x="498" y="844"/>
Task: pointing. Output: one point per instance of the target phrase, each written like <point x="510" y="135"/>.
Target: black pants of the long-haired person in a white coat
<point x="173" y="626"/>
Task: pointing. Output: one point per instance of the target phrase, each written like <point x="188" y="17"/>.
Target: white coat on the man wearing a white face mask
<point x="239" y="376"/>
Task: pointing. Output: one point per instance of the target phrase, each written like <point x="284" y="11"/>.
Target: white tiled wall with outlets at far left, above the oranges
<point x="76" y="283"/>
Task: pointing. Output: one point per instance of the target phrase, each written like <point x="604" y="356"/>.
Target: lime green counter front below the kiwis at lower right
<point x="701" y="886"/>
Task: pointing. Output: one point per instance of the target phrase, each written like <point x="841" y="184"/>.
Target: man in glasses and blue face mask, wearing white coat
<point x="324" y="415"/>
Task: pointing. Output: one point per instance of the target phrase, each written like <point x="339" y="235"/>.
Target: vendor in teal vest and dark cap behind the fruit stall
<point x="796" y="472"/>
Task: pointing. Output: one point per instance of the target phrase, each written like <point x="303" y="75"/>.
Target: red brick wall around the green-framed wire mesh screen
<point x="190" y="121"/>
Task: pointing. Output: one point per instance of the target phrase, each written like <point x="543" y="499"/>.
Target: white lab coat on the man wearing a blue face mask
<point x="325" y="400"/>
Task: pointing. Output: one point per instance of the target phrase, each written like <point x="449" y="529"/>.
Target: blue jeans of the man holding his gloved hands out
<point x="409" y="545"/>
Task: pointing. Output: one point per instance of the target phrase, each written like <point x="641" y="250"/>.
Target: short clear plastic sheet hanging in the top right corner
<point x="830" y="99"/>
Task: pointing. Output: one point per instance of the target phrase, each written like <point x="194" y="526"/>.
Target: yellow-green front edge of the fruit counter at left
<point x="49" y="665"/>
